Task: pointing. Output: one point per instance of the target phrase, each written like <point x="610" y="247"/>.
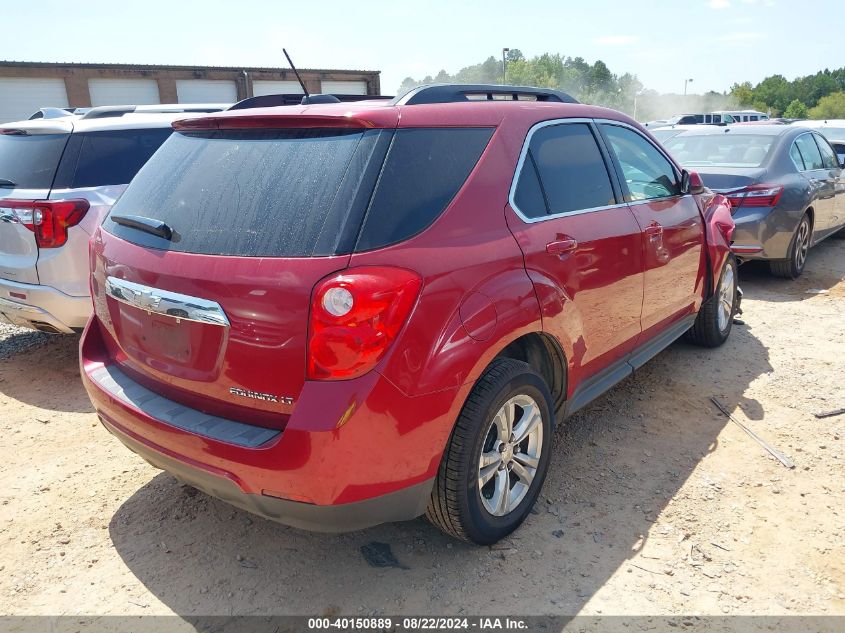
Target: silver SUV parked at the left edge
<point x="58" y="179"/>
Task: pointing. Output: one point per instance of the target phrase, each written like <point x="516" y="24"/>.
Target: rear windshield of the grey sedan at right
<point x="720" y="150"/>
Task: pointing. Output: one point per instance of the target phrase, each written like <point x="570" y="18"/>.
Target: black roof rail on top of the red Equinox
<point x="457" y="93"/>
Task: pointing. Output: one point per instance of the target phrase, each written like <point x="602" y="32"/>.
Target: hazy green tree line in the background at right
<point x="818" y="96"/>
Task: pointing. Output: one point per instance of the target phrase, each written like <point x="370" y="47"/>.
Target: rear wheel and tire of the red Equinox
<point x="497" y="457"/>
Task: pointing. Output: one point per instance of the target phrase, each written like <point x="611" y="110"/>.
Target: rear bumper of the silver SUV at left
<point x="42" y="308"/>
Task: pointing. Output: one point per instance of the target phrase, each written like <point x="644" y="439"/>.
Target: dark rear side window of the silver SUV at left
<point x="113" y="157"/>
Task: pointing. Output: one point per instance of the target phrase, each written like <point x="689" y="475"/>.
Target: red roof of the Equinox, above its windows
<point x="386" y="115"/>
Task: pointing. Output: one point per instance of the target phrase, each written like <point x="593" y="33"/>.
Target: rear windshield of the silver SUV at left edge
<point x="29" y="161"/>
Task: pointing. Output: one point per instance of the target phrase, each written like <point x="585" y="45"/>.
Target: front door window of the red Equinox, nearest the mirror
<point x="648" y="174"/>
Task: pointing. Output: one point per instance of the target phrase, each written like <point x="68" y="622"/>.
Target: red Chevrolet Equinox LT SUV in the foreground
<point x="340" y="315"/>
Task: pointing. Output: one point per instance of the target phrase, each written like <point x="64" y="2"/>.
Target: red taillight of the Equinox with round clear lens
<point x="355" y="316"/>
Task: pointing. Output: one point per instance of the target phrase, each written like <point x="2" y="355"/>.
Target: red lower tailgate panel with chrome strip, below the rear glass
<point x="223" y="335"/>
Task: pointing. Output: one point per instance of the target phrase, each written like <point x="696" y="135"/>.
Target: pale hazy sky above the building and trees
<point x="713" y="42"/>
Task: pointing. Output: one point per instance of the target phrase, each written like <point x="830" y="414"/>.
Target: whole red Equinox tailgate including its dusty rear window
<point x="205" y="266"/>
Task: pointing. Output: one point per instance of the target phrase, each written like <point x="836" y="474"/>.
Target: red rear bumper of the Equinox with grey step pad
<point x="353" y="454"/>
